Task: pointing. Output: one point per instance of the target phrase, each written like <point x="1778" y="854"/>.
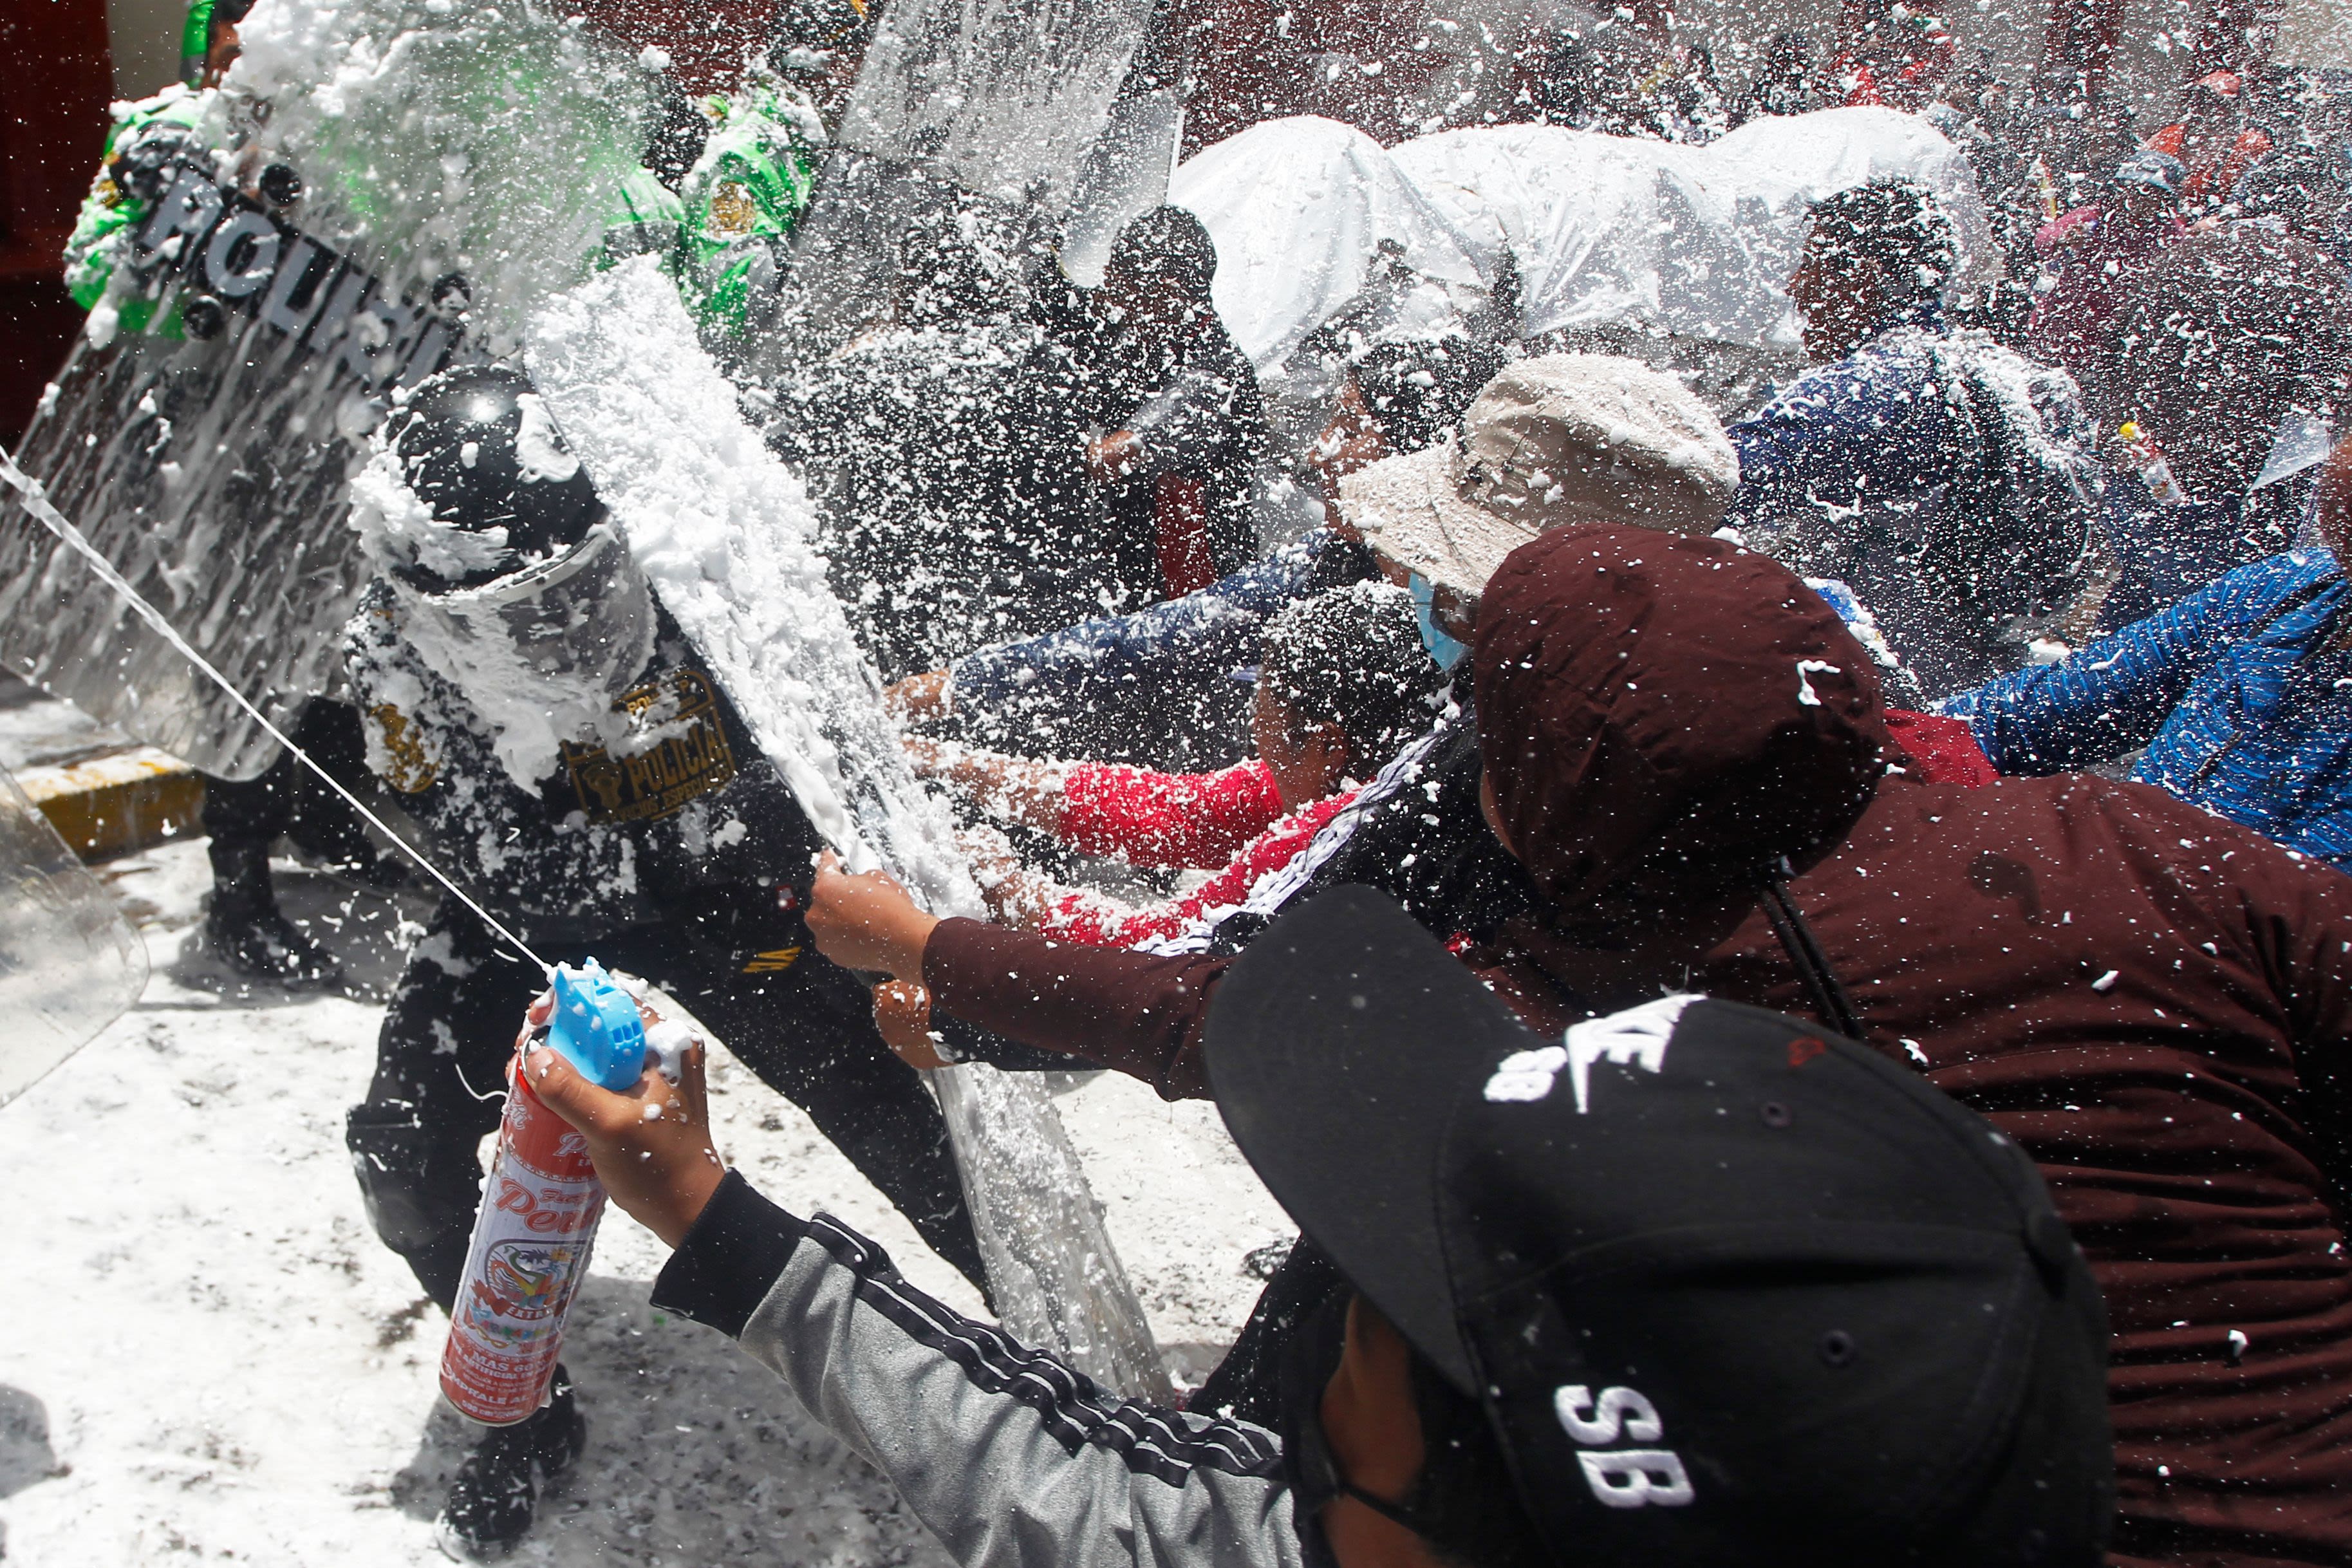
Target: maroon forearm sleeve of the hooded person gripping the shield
<point x="1135" y="1012"/>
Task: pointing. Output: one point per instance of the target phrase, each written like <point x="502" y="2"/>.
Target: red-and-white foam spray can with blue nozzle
<point x="540" y="1212"/>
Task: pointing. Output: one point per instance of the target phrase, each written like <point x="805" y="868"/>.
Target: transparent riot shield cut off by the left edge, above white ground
<point x="69" y="963"/>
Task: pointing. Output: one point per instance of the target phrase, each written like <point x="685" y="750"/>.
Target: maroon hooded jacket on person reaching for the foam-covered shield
<point x="2146" y="998"/>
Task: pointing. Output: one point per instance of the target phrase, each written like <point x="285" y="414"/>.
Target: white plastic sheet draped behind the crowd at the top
<point x="1695" y="241"/>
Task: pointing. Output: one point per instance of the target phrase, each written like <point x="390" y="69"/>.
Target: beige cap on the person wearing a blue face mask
<point x="1549" y="443"/>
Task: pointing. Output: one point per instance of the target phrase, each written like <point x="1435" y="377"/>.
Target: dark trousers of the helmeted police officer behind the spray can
<point x="808" y="1031"/>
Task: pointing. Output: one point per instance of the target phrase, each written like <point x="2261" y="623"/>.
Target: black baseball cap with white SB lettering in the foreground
<point x="1730" y="1289"/>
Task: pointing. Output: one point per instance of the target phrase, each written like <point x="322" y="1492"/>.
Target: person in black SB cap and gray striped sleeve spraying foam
<point x="1589" y="1304"/>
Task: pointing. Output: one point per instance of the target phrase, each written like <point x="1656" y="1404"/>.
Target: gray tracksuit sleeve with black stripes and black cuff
<point x="1005" y="1454"/>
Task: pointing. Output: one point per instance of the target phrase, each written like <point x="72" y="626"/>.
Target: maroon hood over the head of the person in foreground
<point x="1669" y="713"/>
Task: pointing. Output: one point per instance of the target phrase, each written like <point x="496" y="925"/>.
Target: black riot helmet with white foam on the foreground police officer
<point x="481" y="453"/>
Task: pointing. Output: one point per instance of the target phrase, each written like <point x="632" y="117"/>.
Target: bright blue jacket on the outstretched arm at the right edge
<point x="2240" y="692"/>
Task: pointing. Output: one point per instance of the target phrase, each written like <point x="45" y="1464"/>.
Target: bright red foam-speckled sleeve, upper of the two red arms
<point x="1168" y="819"/>
